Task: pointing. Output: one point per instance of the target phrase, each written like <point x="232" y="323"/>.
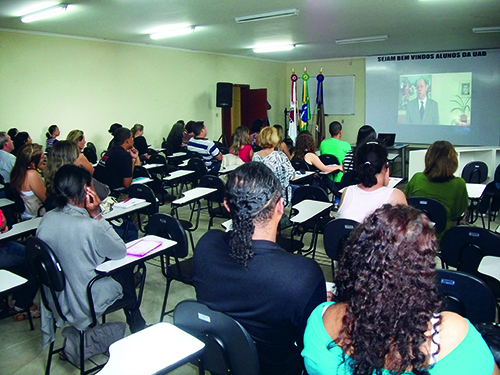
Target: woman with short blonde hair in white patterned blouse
<point x="275" y="160"/>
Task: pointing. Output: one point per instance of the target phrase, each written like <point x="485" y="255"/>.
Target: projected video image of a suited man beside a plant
<point x="435" y="99"/>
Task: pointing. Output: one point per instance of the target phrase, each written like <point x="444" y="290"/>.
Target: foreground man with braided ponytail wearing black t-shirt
<point x="247" y="276"/>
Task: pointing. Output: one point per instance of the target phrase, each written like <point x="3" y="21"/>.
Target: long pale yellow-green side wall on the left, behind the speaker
<point x="90" y="84"/>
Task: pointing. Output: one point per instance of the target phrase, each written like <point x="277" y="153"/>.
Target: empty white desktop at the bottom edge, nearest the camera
<point x="155" y="350"/>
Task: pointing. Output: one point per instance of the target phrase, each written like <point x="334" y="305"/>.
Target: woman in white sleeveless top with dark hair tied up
<point x="372" y="167"/>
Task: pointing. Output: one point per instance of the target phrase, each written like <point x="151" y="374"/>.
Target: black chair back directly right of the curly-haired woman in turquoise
<point x="466" y="295"/>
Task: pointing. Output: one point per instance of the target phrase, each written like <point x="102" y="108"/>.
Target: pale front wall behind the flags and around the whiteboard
<point x="337" y="67"/>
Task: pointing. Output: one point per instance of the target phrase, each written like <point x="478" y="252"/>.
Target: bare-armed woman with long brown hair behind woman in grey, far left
<point x="26" y="181"/>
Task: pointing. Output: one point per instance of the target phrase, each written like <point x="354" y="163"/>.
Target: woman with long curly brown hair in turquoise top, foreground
<point x="387" y="316"/>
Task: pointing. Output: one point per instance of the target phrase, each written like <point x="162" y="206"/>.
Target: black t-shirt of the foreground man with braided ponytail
<point x="272" y="299"/>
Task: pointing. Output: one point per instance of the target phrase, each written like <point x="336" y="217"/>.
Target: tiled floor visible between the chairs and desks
<point x="21" y="351"/>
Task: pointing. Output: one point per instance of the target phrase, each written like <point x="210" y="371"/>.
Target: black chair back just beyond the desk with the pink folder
<point x="166" y="226"/>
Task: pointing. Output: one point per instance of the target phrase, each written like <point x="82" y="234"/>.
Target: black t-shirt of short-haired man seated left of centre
<point x="113" y="167"/>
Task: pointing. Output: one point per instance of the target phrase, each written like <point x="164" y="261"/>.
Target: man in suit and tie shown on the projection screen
<point x="422" y="110"/>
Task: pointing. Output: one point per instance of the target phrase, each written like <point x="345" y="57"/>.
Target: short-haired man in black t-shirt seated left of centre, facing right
<point x="116" y="167"/>
